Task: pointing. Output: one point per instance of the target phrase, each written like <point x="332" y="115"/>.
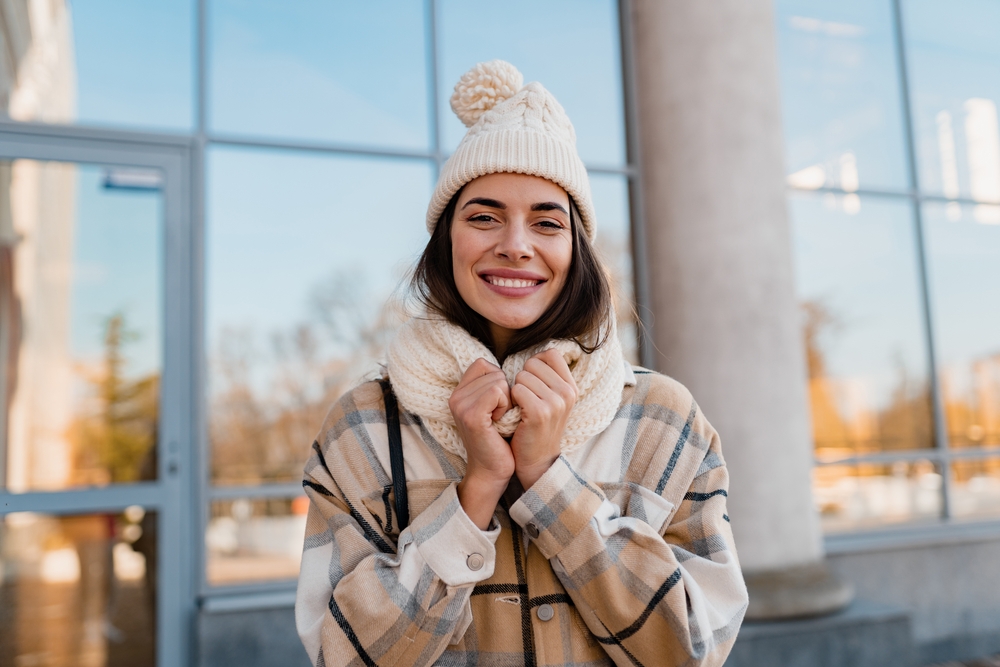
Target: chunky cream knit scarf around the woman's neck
<point x="429" y="355"/>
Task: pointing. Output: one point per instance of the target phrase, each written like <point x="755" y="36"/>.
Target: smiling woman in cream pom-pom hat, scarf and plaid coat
<point x="564" y="508"/>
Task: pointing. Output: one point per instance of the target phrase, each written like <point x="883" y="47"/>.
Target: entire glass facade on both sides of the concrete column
<point x="312" y="135"/>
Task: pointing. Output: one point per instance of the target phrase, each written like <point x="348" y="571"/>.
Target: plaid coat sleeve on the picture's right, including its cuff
<point x="653" y="583"/>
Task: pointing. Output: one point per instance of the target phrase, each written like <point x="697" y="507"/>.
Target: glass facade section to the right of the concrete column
<point x="893" y="158"/>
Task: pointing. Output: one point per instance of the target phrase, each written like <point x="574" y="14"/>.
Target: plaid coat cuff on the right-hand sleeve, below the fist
<point x="557" y="508"/>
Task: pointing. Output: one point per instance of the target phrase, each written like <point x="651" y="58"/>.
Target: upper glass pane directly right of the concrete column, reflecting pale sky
<point x="840" y="94"/>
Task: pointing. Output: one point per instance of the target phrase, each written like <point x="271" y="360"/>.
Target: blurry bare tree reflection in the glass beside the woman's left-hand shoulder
<point x="269" y="397"/>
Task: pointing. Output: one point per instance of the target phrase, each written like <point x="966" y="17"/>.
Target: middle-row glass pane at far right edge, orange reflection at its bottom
<point x="963" y="248"/>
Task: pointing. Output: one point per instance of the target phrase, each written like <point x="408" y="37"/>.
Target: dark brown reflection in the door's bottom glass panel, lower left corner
<point x="78" y="590"/>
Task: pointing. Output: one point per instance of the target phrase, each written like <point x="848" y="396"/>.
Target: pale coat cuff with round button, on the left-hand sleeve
<point x="458" y="552"/>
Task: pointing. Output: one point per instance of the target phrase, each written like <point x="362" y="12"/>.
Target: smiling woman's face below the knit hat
<point x="512" y="247"/>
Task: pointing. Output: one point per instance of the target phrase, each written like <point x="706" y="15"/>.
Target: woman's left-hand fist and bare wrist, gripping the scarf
<point x="481" y="397"/>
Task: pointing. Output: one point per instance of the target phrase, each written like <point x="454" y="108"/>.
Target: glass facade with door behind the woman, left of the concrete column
<point x="313" y="134"/>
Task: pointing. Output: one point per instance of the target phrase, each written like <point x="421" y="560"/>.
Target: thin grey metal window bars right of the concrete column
<point x="948" y="528"/>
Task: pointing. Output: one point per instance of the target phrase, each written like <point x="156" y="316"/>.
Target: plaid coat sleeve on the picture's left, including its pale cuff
<point x="362" y="599"/>
